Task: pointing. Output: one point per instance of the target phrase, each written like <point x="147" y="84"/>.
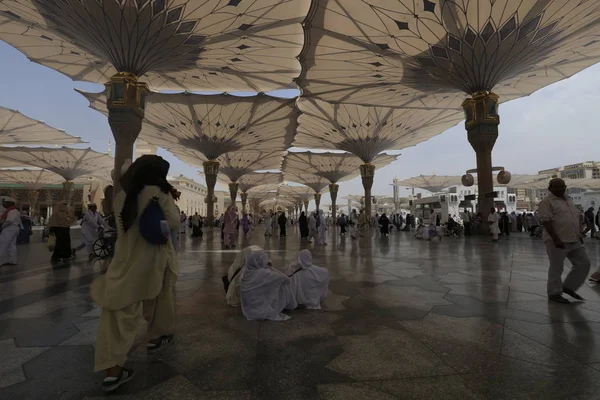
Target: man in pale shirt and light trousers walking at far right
<point x="562" y="237"/>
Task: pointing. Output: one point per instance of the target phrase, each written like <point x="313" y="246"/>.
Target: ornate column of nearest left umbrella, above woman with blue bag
<point x="125" y="103"/>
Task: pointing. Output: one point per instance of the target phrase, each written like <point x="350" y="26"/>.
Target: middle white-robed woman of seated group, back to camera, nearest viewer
<point x="265" y="292"/>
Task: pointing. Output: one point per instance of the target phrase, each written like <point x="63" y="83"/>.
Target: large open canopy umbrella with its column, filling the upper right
<point x="430" y="56"/>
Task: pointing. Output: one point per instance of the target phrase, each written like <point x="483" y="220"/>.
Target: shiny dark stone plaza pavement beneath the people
<point x="405" y="319"/>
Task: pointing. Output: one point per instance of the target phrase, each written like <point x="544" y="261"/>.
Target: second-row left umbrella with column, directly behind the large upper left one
<point x="199" y="129"/>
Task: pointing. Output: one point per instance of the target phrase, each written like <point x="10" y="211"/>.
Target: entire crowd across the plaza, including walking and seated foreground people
<point x="141" y="277"/>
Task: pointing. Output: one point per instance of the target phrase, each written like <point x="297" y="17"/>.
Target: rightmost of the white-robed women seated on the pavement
<point x="309" y="282"/>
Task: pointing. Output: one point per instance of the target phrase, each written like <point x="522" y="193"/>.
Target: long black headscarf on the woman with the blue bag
<point x="148" y="170"/>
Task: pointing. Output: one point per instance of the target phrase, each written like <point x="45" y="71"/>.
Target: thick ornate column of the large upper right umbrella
<point x="482" y="120"/>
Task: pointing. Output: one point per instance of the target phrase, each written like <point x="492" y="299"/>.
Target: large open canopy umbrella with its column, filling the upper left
<point x="131" y="46"/>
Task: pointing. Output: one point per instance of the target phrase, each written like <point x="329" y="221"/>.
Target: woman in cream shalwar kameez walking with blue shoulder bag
<point x="141" y="277"/>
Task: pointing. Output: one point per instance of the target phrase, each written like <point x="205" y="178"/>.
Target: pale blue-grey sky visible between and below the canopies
<point x="555" y="126"/>
